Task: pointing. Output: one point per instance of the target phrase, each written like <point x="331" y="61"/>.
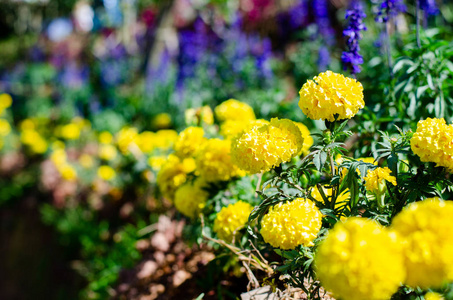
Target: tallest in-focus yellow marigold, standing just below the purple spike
<point x="330" y="94"/>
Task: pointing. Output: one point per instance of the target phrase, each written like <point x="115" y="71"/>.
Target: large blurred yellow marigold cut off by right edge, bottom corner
<point x="426" y="227"/>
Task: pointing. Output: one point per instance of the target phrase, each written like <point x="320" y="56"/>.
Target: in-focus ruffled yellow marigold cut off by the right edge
<point x="433" y="142"/>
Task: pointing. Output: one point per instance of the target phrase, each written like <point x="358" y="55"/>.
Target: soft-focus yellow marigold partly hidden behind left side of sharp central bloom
<point x="214" y="161"/>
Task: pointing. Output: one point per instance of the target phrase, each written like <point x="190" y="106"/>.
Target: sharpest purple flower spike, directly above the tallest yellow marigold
<point x="351" y="58"/>
